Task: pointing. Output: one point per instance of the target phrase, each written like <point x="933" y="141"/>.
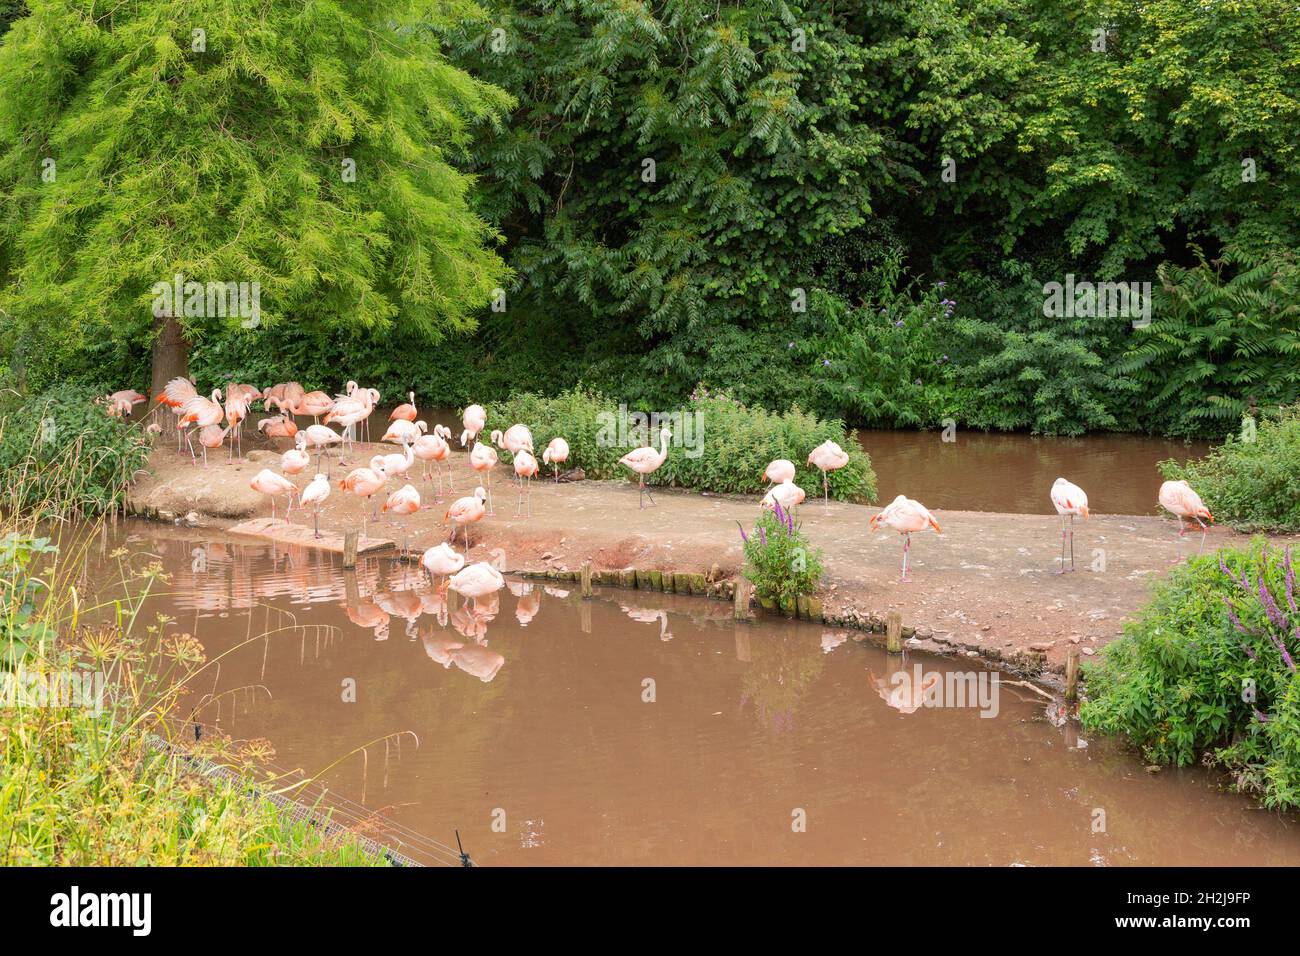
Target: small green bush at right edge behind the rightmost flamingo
<point x="1254" y="479"/>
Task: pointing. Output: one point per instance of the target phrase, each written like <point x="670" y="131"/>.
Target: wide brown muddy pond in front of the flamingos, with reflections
<point x="528" y="728"/>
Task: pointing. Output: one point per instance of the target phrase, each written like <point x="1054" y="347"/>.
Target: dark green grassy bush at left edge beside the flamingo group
<point x="62" y="453"/>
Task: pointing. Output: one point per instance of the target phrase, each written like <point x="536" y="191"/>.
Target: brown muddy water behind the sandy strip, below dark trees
<point x="998" y="471"/>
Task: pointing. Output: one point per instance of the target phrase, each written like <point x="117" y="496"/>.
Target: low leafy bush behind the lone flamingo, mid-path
<point x="735" y="443"/>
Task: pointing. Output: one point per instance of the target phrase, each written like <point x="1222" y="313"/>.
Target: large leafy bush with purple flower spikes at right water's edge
<point x="1208" y="668"/>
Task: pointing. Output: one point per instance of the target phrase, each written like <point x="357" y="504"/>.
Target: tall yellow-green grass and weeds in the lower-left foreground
<point x="81" y="786"/>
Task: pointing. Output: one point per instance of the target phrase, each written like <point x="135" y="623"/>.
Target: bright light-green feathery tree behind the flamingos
<point x="292" y="162"/>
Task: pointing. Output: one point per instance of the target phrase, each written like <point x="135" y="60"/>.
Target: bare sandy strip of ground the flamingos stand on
<point x="987" y="585"/>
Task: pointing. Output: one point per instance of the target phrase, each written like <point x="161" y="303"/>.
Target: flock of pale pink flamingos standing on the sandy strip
<point x="222" y="416"/>
